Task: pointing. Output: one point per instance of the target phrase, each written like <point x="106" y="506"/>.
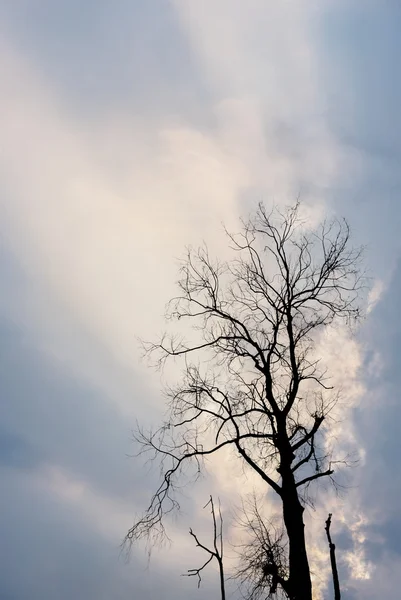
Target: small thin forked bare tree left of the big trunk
<point x="213" y="553"/>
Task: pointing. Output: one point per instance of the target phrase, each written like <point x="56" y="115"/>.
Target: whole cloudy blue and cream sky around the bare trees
<point x="129" y="130"/>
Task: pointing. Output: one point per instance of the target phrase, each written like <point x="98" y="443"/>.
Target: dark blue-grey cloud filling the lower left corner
<point x="49" y="548"/>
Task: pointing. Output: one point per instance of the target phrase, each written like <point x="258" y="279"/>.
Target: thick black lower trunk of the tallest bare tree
<point x="300" y="585"/>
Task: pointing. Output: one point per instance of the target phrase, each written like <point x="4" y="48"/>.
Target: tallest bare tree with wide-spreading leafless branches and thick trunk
<point x="260" y="389"/>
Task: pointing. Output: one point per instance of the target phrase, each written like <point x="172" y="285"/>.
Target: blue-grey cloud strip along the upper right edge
<point x="357" y="50"/>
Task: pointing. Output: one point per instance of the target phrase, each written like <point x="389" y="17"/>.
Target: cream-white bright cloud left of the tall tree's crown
<point x="104" y="249"/>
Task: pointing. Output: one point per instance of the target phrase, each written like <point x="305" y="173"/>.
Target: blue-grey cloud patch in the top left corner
<point x="105" y="57"/>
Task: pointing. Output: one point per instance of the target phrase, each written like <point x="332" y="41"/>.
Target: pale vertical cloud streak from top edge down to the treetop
<point x="261" y="65"/>
